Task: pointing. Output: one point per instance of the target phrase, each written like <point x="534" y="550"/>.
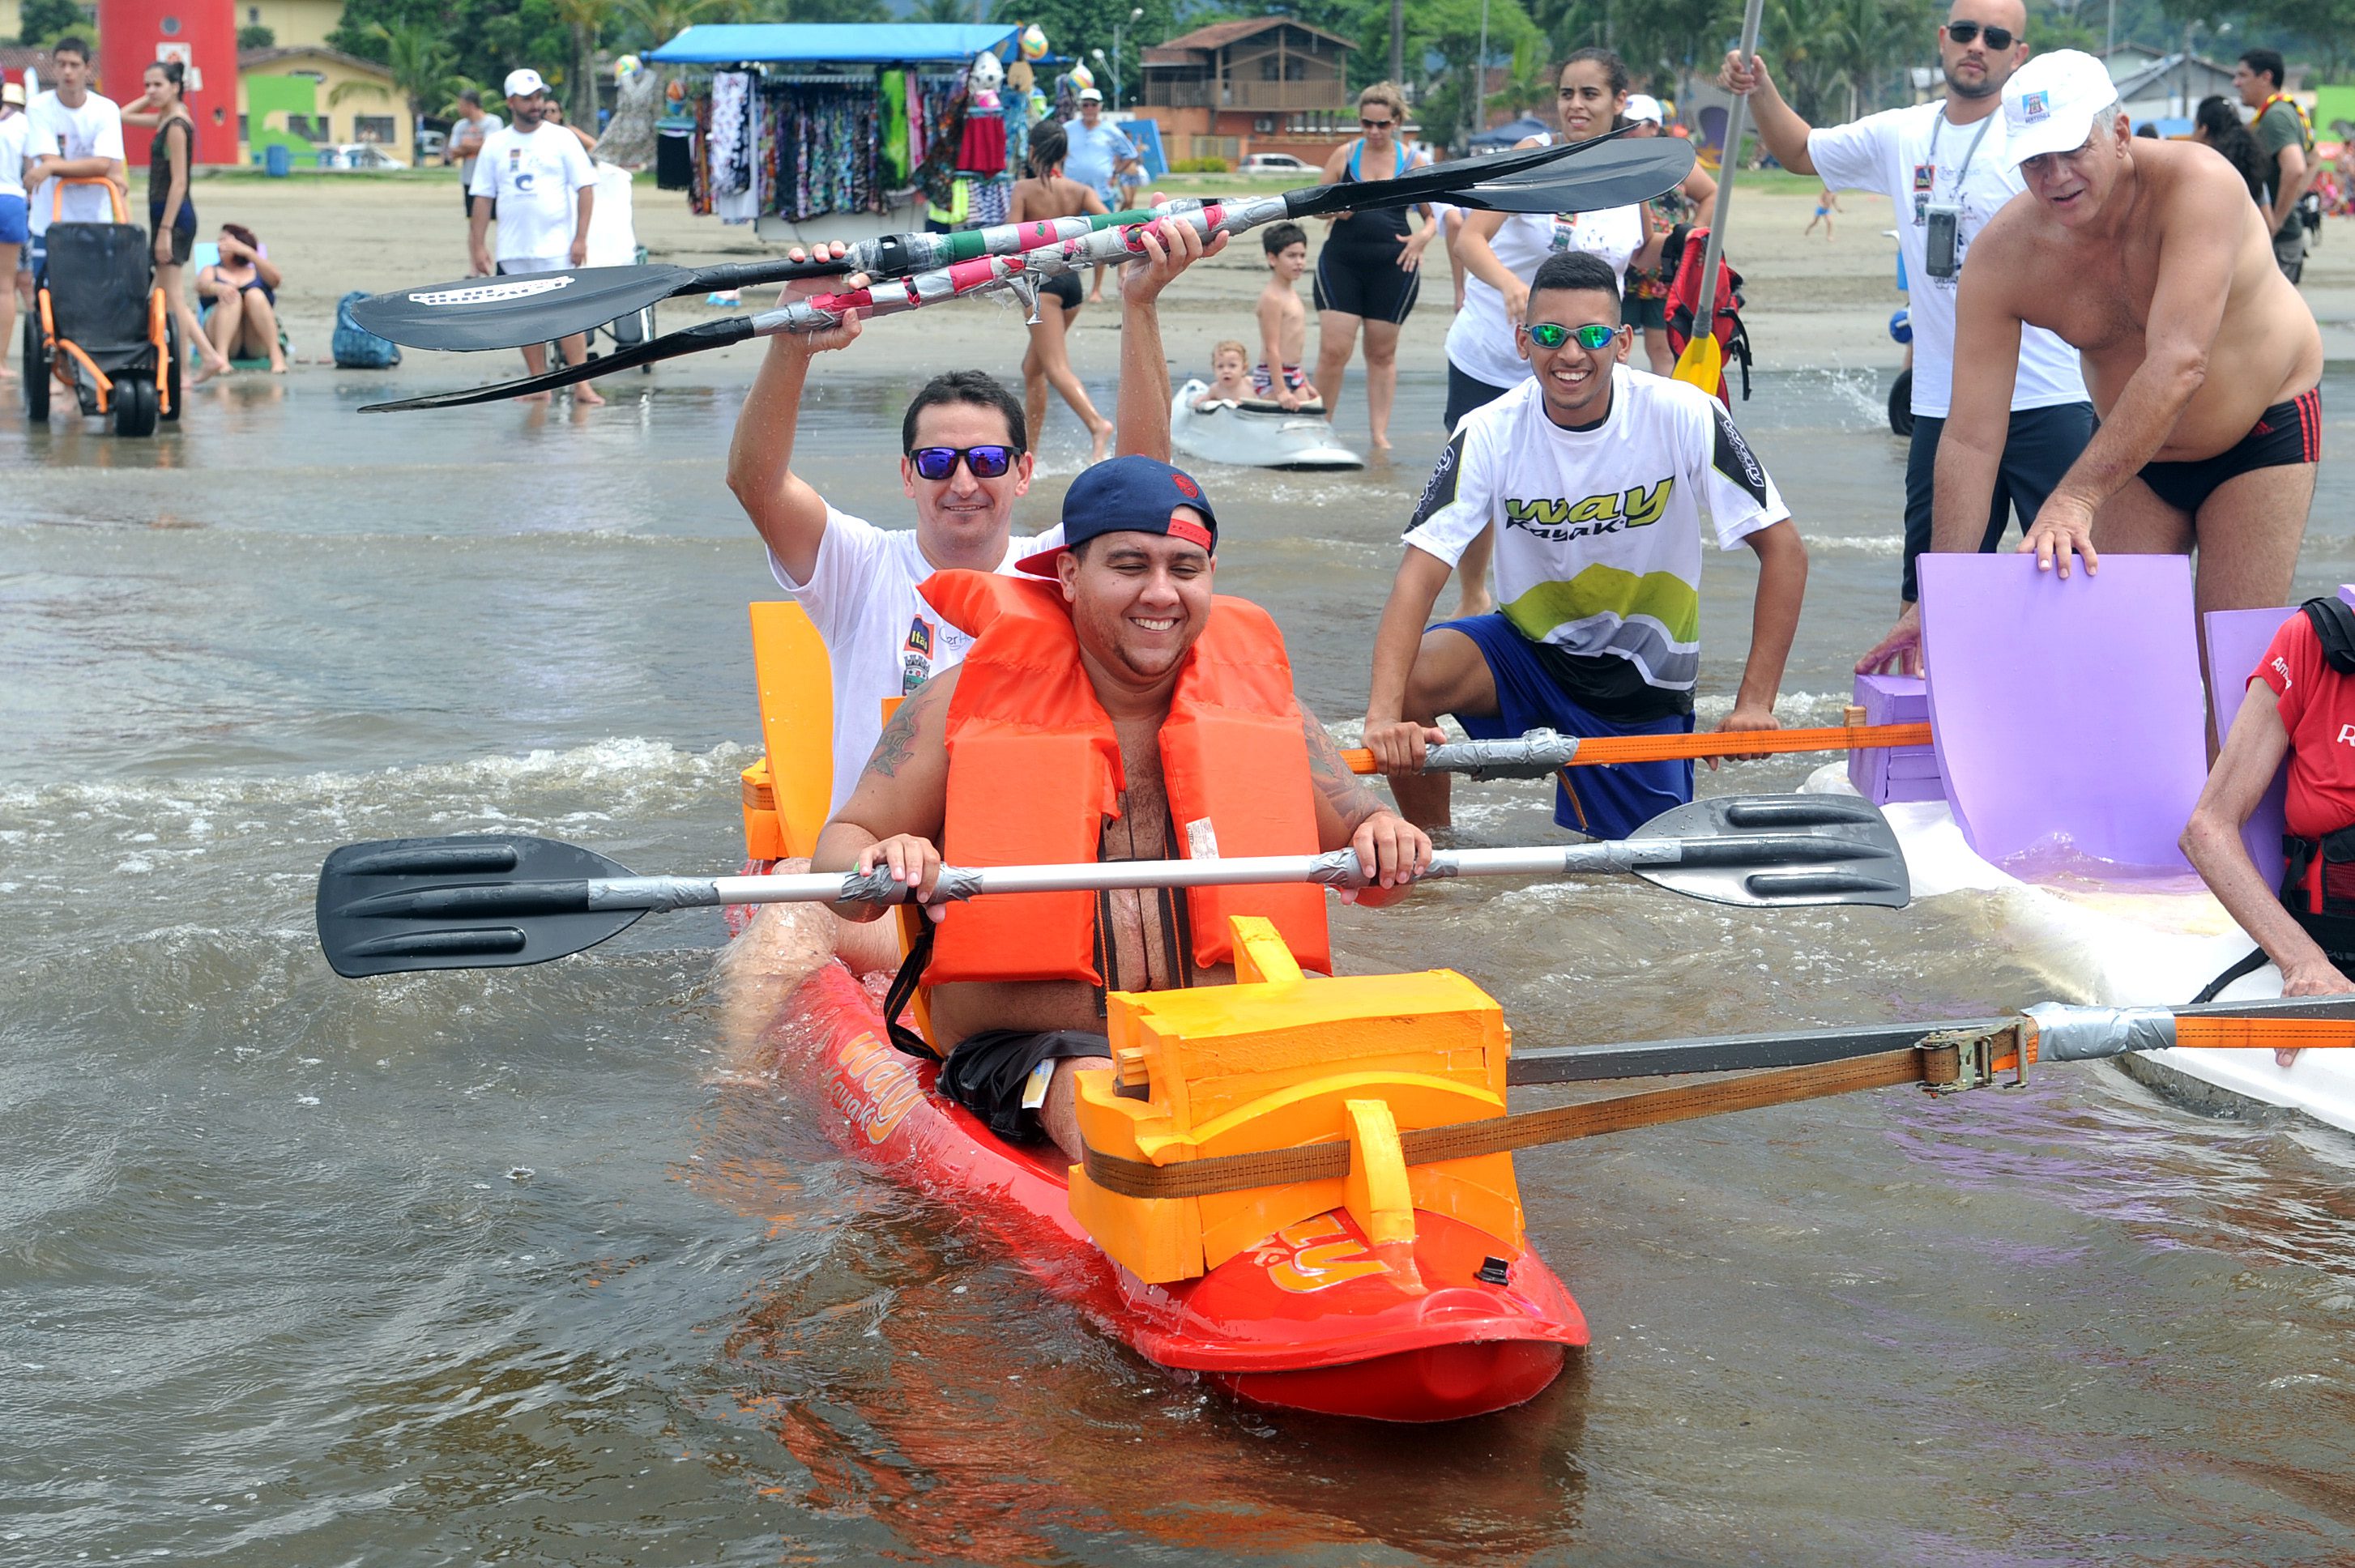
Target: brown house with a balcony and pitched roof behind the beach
<point x="1261" y="86"/>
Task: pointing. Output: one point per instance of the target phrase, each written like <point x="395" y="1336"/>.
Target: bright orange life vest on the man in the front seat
<point x="1035" y="773"/>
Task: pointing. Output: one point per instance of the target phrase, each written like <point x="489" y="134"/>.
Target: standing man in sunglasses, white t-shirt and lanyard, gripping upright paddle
<point x="1944" y="168"/>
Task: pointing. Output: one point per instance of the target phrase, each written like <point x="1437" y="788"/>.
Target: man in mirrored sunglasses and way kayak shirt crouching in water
<point x="1596" y="479"/>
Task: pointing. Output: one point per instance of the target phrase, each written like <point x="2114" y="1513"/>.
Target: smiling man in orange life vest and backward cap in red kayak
<point x="1113" y="707"/>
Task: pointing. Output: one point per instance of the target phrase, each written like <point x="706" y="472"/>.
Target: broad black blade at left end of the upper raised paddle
<point x="477" y="314"/>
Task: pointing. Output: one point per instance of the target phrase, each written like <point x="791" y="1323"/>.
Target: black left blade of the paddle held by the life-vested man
<point x="484" y="901"/>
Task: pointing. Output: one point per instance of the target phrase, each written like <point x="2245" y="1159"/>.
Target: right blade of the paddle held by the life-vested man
<point x="1774" y="851"/>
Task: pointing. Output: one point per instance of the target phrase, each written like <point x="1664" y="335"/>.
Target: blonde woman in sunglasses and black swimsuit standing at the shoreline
<point x="1372" y="265"/>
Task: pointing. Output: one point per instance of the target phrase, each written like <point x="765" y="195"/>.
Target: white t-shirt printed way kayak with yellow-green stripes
<point x="1598" y="543"/>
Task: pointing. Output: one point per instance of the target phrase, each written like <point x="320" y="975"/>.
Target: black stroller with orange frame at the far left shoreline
<point x="100" y="317"/>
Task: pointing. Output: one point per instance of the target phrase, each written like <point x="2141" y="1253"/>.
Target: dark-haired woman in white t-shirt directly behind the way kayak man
<point x="1504" y="251"/>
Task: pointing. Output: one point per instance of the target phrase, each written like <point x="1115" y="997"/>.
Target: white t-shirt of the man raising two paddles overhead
<point x="882" y="637"/>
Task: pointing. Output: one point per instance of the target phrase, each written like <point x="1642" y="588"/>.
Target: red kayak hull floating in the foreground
<point x="1308" y="1320"/>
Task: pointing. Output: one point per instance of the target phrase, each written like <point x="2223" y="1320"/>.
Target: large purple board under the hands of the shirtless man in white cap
<point x="2067" y="712"/>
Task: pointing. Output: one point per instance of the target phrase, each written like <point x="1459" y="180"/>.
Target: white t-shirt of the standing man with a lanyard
<point x="1890" y="154"/>
